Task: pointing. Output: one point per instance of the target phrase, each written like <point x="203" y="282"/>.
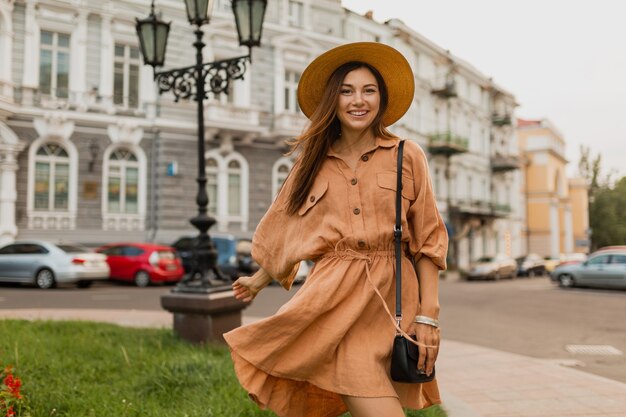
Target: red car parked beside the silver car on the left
<point x="142" y="263"/>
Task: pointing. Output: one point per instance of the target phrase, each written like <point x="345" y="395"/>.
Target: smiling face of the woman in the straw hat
<point x="359" y="101"/>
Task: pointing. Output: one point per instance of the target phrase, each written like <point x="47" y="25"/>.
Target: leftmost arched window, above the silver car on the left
<point x="52" y="176"/>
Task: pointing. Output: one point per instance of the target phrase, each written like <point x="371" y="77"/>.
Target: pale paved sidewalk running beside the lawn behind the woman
<point x="475" y="381"/>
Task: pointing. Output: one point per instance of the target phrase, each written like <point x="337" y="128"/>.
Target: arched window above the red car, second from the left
<point x="123" y="182"/>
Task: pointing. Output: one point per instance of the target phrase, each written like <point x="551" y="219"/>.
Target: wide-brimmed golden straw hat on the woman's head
<point x="393" y="67"/>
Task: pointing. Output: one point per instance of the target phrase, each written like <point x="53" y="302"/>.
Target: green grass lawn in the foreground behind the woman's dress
<point x="80" y="369"/>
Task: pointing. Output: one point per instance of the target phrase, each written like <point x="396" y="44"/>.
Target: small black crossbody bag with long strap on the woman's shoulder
<point x="405" y="354"/>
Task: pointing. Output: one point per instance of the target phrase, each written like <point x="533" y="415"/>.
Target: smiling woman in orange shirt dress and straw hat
<point x="328" y="349"/>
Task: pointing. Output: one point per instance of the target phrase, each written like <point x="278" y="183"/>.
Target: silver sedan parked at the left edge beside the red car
<point x="46" y="265"/>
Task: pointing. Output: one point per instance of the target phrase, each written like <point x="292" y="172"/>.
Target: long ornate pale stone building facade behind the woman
<point x="90" y="153"/>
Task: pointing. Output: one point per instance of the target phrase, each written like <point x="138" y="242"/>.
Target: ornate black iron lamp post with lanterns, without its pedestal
<point x="195" y="82"/>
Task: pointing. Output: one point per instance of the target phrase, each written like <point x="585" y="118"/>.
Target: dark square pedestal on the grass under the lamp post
<point x="204" y="318"/>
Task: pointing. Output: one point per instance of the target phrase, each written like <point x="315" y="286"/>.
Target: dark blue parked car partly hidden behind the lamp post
<point x="233" y="254"/>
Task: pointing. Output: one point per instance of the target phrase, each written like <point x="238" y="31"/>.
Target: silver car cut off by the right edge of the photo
<point x="604" y="268"/>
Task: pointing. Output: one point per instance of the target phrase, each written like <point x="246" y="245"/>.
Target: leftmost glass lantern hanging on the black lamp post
<point x="153" y="33"/>
